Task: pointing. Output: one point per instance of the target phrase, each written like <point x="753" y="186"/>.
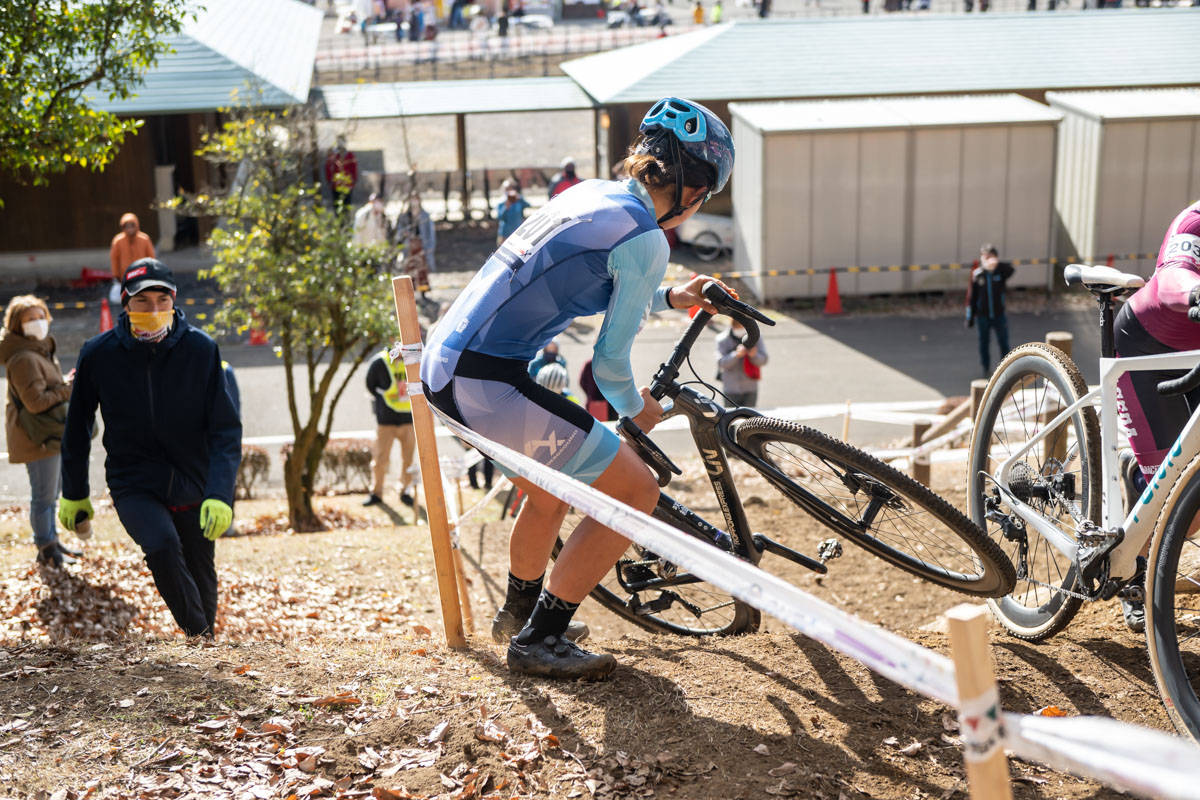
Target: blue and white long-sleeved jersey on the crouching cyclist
<point x="597" y="248"/>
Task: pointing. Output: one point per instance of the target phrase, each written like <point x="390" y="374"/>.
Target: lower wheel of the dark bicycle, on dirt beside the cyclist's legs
<point x="686" y="609"/>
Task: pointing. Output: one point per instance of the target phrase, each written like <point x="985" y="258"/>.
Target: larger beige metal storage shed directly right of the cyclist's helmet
<point x="898" y="194"/>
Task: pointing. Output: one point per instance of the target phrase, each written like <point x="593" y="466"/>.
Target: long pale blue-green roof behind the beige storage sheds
<point x="851" y="57"/>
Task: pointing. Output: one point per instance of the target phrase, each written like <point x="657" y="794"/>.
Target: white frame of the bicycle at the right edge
<point x="1138" y="526"/>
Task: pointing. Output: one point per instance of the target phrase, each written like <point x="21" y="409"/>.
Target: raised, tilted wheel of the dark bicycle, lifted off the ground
<point x="879" y="508"/>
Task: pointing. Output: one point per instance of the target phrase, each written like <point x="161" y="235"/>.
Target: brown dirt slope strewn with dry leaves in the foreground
<point x="329" y="679"/>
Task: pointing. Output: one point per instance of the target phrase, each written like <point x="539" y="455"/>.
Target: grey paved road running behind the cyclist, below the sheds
<point x="814" y="360"/>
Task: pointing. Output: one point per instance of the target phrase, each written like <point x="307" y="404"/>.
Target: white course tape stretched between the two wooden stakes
<point x="896" y="658"/>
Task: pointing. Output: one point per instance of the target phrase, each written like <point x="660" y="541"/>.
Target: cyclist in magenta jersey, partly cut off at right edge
<point x="1154" y="322"/>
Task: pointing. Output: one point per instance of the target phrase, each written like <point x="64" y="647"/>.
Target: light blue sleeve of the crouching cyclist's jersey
<point x="638" y="268"/>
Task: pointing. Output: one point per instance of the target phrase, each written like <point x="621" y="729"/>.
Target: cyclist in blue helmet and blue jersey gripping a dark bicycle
<point x="597" y="248"/>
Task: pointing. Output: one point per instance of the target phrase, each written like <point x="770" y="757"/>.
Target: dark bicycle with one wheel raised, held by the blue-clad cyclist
<point x="856" y="496"/>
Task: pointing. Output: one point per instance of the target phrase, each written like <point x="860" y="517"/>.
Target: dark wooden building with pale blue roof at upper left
<point x="262" y="50"/>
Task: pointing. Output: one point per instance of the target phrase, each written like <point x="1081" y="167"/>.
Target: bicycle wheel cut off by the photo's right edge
<point x="1173" y="606"/>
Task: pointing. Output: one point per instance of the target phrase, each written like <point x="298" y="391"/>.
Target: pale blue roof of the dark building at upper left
<point x="232" y="46"/>
